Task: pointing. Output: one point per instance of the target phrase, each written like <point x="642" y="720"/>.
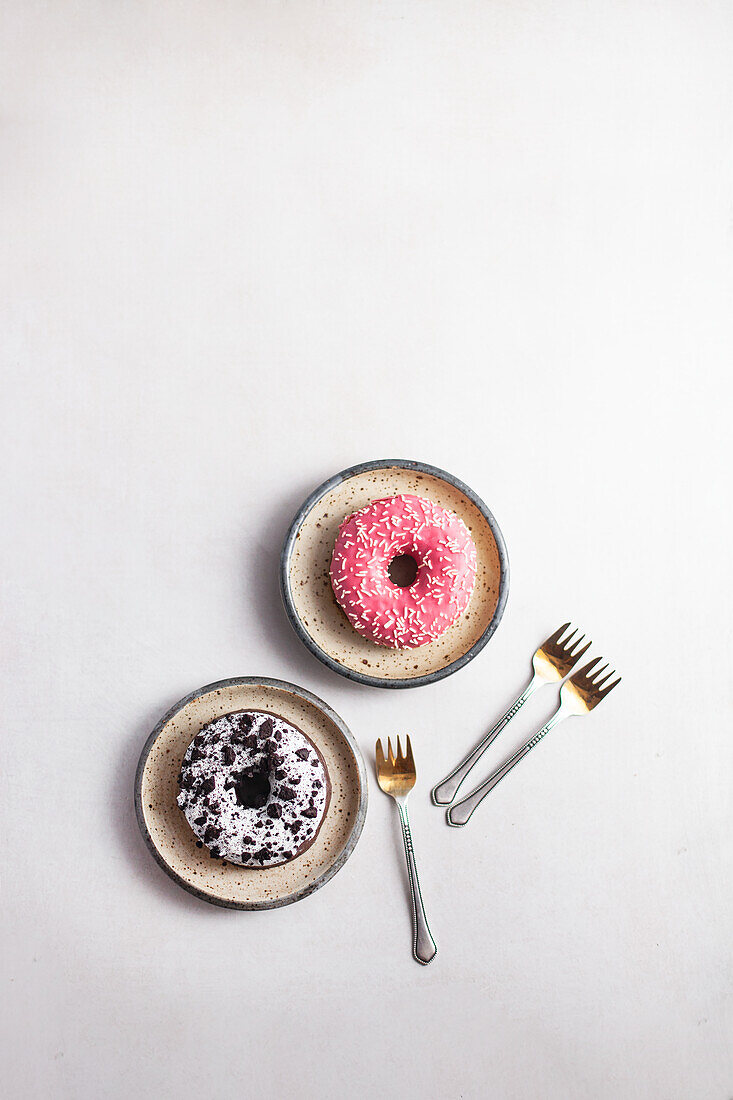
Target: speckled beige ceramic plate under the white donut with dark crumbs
<point x="172" y="842"/>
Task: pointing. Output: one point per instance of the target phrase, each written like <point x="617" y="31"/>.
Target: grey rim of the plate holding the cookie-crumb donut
<point x="359" y="818"/>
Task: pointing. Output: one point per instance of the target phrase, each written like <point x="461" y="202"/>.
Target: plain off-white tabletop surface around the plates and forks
<point x="246" y="246"/>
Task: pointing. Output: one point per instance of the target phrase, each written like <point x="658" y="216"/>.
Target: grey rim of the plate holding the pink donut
<point x="310" y="643"/>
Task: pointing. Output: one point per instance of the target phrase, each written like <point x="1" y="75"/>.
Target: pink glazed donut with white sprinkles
<point x="368" y="543"/>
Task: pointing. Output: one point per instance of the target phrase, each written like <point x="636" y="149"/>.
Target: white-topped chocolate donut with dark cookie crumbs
<point x="255" y="789"/>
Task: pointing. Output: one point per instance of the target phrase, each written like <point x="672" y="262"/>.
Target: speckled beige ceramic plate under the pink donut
<point x="310" y="600"/>
